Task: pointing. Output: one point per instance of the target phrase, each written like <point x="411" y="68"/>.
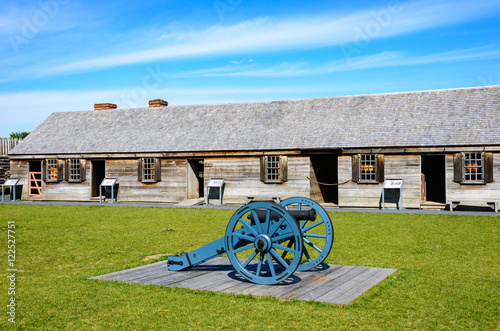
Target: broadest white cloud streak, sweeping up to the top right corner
<point x="267" y="35"/>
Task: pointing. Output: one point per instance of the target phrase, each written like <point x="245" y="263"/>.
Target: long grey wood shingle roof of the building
<point x="453" y="117"/>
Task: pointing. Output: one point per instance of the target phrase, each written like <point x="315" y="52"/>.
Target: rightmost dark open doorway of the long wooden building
<point x="434" y="178"/>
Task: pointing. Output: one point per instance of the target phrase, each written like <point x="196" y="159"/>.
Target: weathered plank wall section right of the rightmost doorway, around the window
<point x="457" y="191"/>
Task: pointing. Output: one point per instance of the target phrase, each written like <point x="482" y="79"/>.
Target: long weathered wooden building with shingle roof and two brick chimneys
<point x="444" y="144"/>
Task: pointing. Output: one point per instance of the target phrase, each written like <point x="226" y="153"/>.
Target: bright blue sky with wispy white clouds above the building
<point x="66" y="55"/>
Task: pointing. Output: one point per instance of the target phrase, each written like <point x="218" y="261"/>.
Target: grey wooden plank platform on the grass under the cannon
<point x="331" y="283"/>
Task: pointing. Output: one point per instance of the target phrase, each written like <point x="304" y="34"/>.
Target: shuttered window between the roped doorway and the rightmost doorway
<point x="368" y="168"/>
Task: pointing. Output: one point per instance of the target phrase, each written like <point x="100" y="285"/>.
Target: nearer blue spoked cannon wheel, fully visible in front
<point x="256" y="250"/>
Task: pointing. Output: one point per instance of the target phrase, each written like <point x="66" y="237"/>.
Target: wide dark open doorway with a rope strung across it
<point x="325" y="170"/>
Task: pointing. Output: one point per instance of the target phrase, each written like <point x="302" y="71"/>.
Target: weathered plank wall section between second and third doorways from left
<point x="171" y="188"/>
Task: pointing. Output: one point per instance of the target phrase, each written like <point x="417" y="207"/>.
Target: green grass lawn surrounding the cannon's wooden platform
<point x="449" y="272"/>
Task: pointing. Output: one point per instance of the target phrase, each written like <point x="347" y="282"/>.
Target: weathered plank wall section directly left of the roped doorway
<point x="242" y="178"/>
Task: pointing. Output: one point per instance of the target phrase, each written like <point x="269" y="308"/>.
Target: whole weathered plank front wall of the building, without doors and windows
<point x="242" y="175"/>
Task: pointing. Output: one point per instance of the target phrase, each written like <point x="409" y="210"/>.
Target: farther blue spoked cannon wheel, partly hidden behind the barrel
<point x="318" y="235"/>
